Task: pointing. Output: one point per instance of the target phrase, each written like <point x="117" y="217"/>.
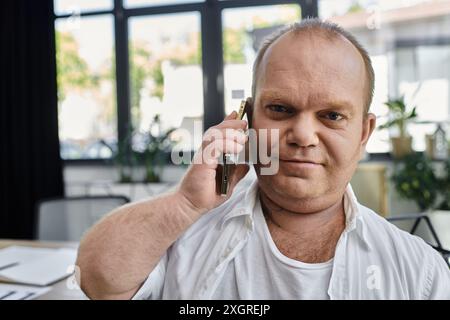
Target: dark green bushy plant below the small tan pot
<point x="415" y="179"/>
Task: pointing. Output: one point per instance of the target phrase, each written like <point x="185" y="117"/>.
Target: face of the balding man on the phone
<point x="313" y="89"/>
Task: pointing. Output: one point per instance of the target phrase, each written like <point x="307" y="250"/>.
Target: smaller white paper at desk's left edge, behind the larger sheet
<point x="18" y="254"/>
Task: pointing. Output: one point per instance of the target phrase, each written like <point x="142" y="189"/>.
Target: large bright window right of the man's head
<point x="409" y="43"/>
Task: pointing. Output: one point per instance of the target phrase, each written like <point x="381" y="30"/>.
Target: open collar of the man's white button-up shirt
<point x="243" y="203"/>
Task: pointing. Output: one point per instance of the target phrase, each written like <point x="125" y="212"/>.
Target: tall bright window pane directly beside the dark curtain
<point x="86" y="87"/>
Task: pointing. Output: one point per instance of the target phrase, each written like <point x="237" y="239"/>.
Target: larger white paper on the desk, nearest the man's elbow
<point x="42" y="271"/>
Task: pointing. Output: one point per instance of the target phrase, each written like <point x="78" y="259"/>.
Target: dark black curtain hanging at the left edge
<point x="30" y="166"/>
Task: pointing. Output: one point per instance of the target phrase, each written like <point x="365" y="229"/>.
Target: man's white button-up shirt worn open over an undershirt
<point x="373" y="258"/>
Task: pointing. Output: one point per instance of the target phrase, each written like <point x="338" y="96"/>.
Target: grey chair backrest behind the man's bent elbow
<point x="67" y="219"/>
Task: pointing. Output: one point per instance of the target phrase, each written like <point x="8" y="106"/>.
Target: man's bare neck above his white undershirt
<point x="310" y="237"/>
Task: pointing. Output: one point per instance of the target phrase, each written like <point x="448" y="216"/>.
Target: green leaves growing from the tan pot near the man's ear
<point x="399" y="116"/>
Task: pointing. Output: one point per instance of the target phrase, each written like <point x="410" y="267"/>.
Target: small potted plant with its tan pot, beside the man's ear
<point x="399" y="117"/>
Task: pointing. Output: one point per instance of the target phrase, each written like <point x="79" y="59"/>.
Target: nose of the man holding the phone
<point x="303" y="131"/>
